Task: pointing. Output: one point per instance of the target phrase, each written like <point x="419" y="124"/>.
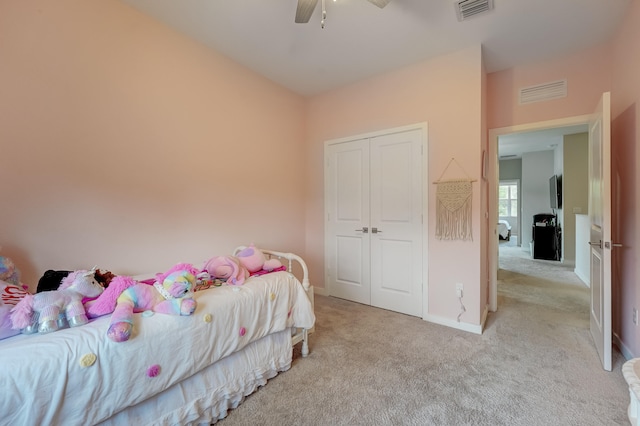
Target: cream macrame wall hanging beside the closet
<point x="453" y="207"/>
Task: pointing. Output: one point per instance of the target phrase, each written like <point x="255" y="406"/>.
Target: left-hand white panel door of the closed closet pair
<point x="347" y="198"/>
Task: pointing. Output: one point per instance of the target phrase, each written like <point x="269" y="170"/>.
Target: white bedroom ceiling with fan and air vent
<point x="360" y="40"/>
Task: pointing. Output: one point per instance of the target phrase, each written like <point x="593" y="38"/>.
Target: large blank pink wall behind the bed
<point x="128" y="146"/>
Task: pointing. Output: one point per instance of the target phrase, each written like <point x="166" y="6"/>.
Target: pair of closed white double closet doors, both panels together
<point x="373" y="203"/>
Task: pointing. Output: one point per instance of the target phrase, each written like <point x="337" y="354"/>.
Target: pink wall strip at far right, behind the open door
<point x="626" y="179"/>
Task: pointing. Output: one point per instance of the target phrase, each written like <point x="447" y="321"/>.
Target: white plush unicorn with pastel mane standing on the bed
<point x="51" y="310"/>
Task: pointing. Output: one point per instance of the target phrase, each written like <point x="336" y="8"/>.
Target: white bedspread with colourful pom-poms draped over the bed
<point x="44" y="380"/>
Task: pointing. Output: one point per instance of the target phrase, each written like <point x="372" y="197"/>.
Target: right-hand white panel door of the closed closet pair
<point x="396" y="222"/>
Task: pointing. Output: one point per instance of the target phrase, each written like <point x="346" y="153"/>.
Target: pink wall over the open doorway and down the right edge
<point x="610" y="67"/>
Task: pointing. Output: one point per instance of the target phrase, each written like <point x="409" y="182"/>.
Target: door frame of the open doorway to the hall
<point x="494" y="181"/>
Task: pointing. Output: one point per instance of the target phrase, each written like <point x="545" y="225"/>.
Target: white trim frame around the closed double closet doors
<point x="424" y="130"/>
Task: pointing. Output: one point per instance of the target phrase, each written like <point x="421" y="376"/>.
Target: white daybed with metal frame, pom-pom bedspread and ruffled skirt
<point x="238" y="338"/>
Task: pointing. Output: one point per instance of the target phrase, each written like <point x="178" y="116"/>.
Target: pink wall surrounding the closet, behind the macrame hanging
<point x="439" y="92"/>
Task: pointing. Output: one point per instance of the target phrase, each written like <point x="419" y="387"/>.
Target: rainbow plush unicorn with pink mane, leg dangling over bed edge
<point x="171" y="293"/>
